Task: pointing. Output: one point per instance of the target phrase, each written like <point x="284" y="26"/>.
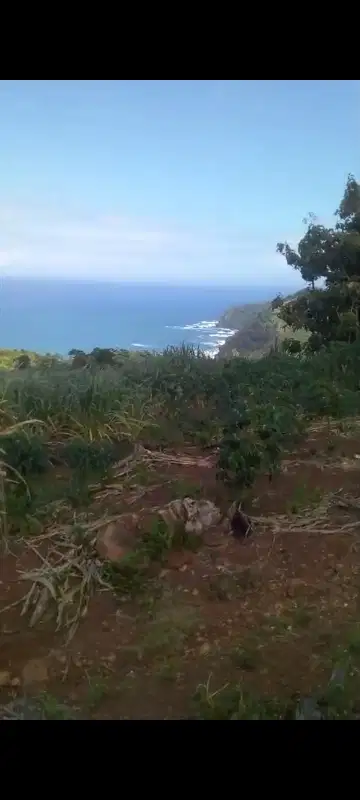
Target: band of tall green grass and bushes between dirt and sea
<point x="252" y="410"/>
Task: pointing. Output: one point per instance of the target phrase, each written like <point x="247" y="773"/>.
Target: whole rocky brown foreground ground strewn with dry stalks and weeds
<point x="117" y="610"/>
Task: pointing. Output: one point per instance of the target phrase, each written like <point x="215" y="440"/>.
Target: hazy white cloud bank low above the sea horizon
<point x="43" y="243"/>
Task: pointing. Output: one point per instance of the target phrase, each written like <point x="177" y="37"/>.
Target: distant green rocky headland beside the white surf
<point x="257" y="329"/>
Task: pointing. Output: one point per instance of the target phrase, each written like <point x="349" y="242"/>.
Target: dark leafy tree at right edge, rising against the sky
<point x="332" y="255"/>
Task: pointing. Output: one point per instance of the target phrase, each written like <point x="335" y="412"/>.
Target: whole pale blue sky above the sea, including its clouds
<point x="177" y="181"/>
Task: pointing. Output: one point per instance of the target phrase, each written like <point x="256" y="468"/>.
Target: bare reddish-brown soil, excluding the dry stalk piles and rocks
<point x="266" y="613"/>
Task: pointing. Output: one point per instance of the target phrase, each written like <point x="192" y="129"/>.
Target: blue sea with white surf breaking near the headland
<point x="55" y="316"/>
